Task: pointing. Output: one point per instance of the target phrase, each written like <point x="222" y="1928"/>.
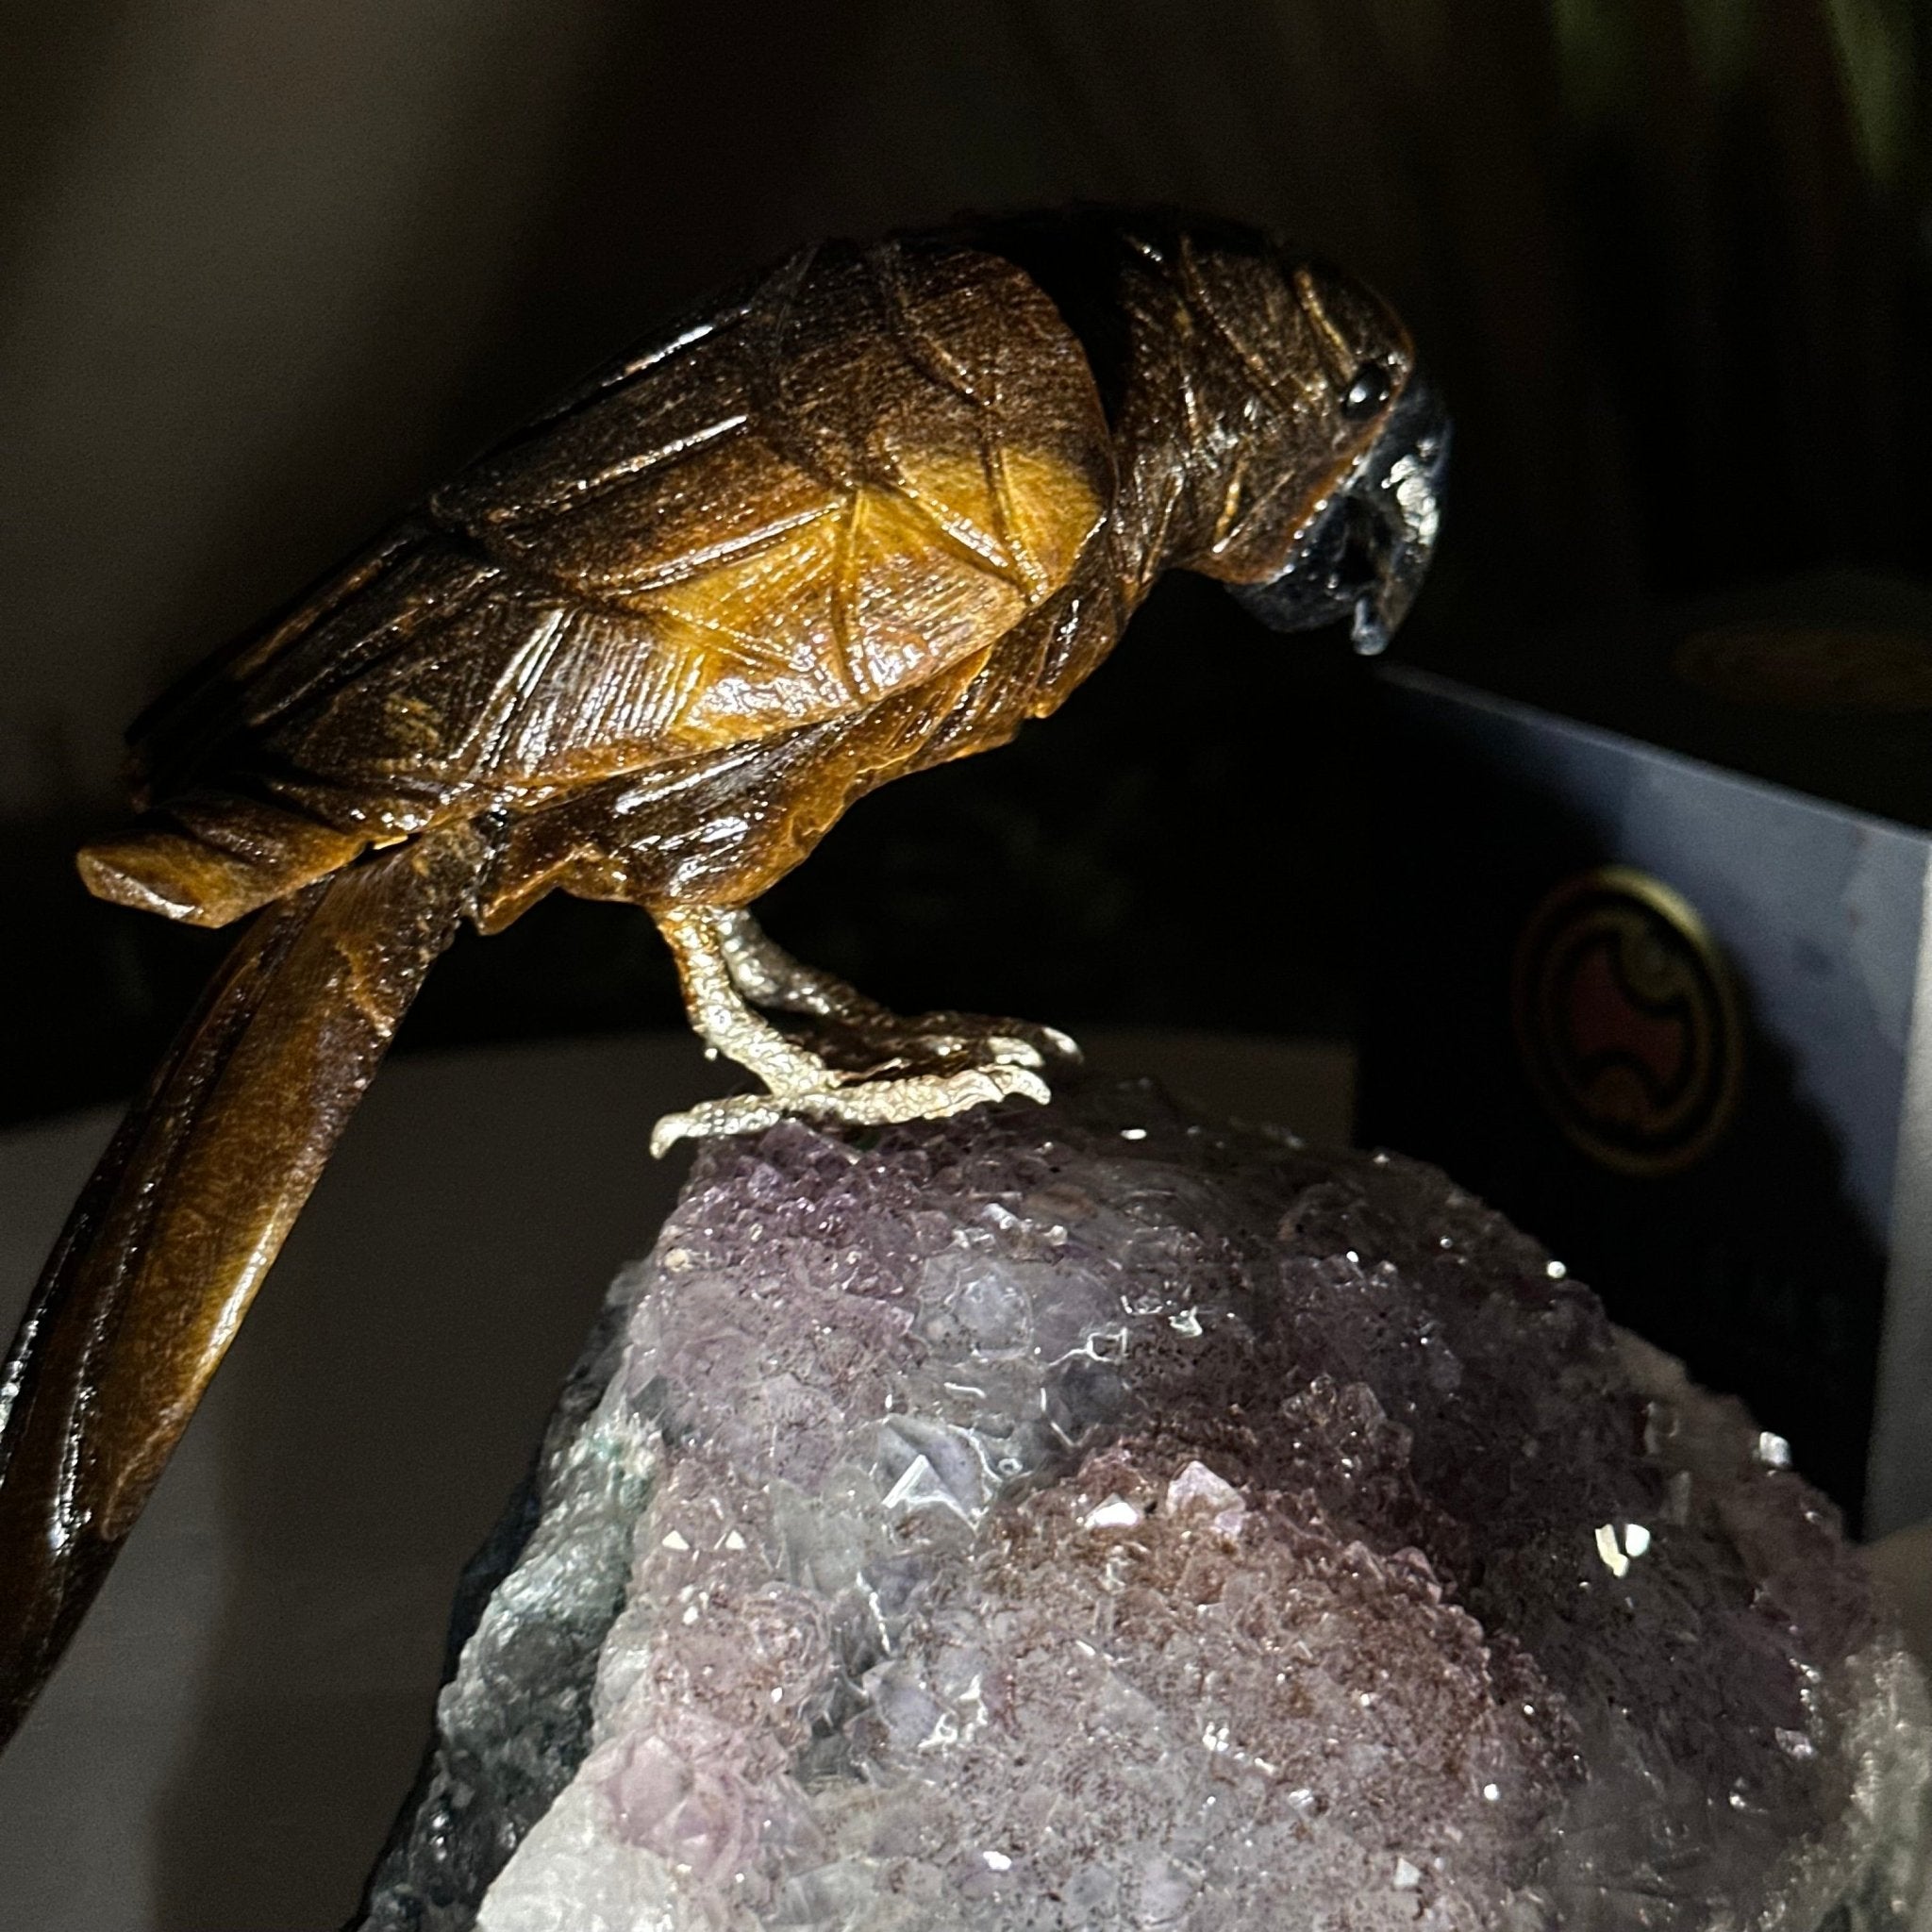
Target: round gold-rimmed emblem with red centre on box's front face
<point x="1628" y="1021"/>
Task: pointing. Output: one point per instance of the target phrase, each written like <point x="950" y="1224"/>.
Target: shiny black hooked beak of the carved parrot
<point x="1365" y="552"/>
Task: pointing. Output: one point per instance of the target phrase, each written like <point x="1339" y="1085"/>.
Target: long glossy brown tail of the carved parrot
<point x="183" y="1218"/>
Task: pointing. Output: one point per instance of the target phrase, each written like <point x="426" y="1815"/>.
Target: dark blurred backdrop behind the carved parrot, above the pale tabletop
<point x="271" y="271"/>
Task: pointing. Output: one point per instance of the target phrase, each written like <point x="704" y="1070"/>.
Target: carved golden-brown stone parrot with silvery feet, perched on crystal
<point x="870" y="513"/>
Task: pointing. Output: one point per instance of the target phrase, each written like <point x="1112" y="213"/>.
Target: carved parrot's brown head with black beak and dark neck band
<point x="1274" y="391"/>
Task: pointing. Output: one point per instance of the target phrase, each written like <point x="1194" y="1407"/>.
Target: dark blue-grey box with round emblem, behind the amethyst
<point x="1651" y="969"/>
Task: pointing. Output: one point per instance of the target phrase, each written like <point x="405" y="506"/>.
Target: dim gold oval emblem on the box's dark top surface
<point x="1809" y="668"/>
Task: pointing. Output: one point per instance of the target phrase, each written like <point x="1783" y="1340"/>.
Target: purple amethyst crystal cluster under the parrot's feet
<point x="1093" y="1518"/>
